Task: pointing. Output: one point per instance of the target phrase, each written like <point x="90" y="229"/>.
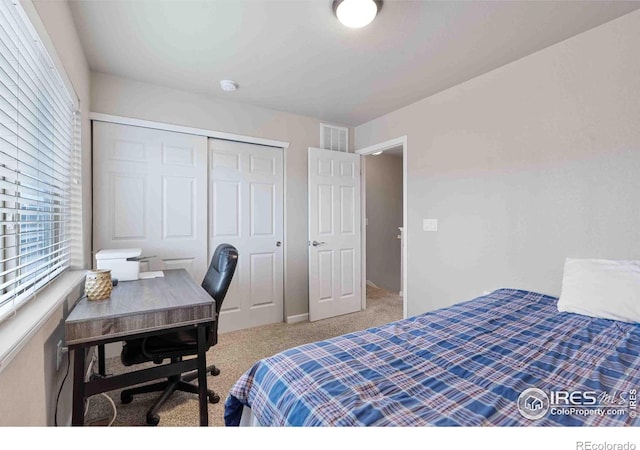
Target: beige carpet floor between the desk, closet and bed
<point x="234" y="354"/>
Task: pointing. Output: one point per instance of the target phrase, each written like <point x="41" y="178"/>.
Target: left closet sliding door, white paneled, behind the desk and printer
<point x="150" y="189"/>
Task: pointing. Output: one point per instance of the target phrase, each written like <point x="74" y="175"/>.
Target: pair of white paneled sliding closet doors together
<point x="178" y="196"/>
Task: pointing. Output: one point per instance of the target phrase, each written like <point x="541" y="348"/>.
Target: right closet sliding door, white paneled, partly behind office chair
<point x="246" y="205"/>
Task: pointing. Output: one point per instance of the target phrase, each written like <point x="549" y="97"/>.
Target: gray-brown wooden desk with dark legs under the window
<point x="136" y="309"/>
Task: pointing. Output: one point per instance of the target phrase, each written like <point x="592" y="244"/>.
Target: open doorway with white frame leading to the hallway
<point x="384" y="219"/>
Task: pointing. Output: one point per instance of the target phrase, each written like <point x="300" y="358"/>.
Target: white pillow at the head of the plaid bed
<point x="604" y="288"/>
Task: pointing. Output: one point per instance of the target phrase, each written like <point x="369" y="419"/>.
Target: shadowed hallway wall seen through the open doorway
<point x="384" y="216"/>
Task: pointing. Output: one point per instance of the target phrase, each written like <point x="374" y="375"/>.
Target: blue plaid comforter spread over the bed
<point x="465" y="365"/>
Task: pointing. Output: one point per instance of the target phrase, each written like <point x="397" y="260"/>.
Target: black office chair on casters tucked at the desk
<point x="176" y="345"/>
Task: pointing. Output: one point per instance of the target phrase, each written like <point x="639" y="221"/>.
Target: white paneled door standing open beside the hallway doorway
<point x="335" y="263"/>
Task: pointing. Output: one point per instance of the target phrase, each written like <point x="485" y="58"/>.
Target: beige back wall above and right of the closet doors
<point x="123" y="97"/>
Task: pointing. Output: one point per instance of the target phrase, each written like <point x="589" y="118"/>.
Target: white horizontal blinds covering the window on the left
<point x="38" y="142"/>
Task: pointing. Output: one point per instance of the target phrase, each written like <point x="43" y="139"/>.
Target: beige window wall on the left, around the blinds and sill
<point x="30" y="383"/>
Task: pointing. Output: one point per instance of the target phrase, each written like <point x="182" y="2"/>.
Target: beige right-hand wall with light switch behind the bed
<point x="523" y="166"/>
